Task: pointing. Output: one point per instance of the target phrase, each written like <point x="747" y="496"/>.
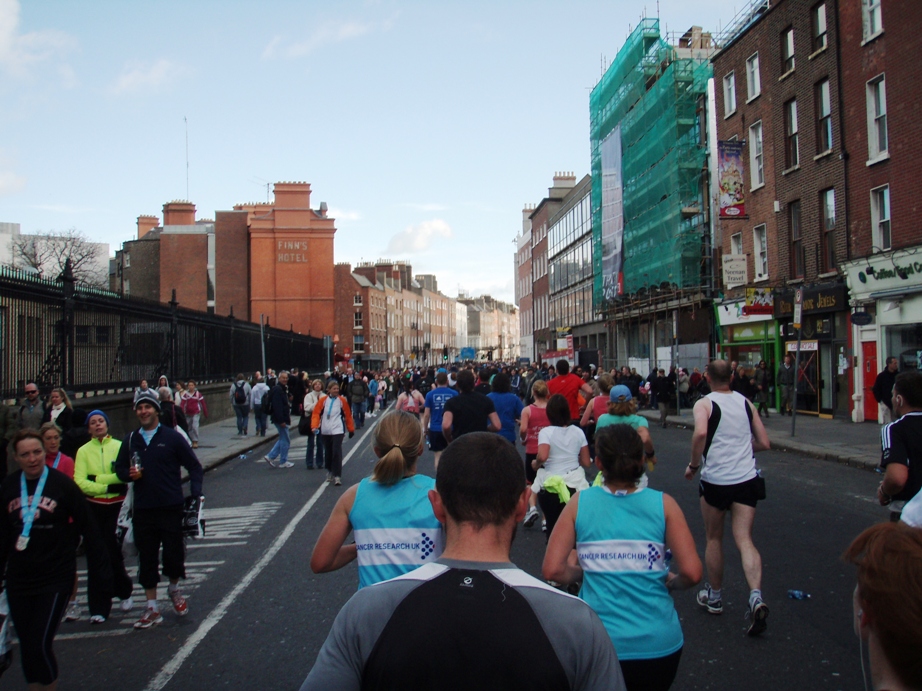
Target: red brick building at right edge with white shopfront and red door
<point x="880" y="47"/>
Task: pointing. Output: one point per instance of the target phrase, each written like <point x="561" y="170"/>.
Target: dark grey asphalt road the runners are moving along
<point x="258" y="616"/>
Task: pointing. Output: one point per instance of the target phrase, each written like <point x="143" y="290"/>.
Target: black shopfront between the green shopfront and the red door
<point x="825" y="358"/>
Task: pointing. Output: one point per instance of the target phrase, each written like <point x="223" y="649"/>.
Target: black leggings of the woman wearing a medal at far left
<point x="36" y="618"/>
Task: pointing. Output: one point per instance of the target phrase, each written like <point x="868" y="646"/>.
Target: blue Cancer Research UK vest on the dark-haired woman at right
<point x="620" y="544"/>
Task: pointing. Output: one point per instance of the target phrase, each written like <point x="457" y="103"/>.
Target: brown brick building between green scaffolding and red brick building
<point x="778" y="89"/>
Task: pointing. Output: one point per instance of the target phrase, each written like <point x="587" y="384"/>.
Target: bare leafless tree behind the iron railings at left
<point x="47" y="253"/>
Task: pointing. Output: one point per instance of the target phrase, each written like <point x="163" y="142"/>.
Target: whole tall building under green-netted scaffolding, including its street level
<point x="650" y="182"/>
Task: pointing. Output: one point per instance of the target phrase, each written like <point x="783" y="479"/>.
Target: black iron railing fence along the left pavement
<point x="58" y="333"/>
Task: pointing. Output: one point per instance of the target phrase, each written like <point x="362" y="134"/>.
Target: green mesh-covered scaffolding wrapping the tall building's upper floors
<point x="655" y="94"/>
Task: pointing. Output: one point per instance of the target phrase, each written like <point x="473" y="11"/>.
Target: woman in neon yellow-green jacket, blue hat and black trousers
<point x="95" y="475"/>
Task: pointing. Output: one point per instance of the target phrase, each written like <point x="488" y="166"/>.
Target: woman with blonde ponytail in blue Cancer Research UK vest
<point x="388" y="513"/>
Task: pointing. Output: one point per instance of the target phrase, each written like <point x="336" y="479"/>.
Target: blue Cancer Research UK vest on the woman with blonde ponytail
<point x="394" y="528"/>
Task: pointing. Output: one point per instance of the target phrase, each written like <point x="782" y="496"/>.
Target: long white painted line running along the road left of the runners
<point x="164" y="676"/>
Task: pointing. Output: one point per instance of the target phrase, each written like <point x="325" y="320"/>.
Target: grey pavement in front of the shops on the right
<point x="851" y="443"/>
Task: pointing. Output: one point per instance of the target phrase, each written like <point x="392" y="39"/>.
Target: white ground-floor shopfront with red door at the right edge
<point x="886" y="299"/>
